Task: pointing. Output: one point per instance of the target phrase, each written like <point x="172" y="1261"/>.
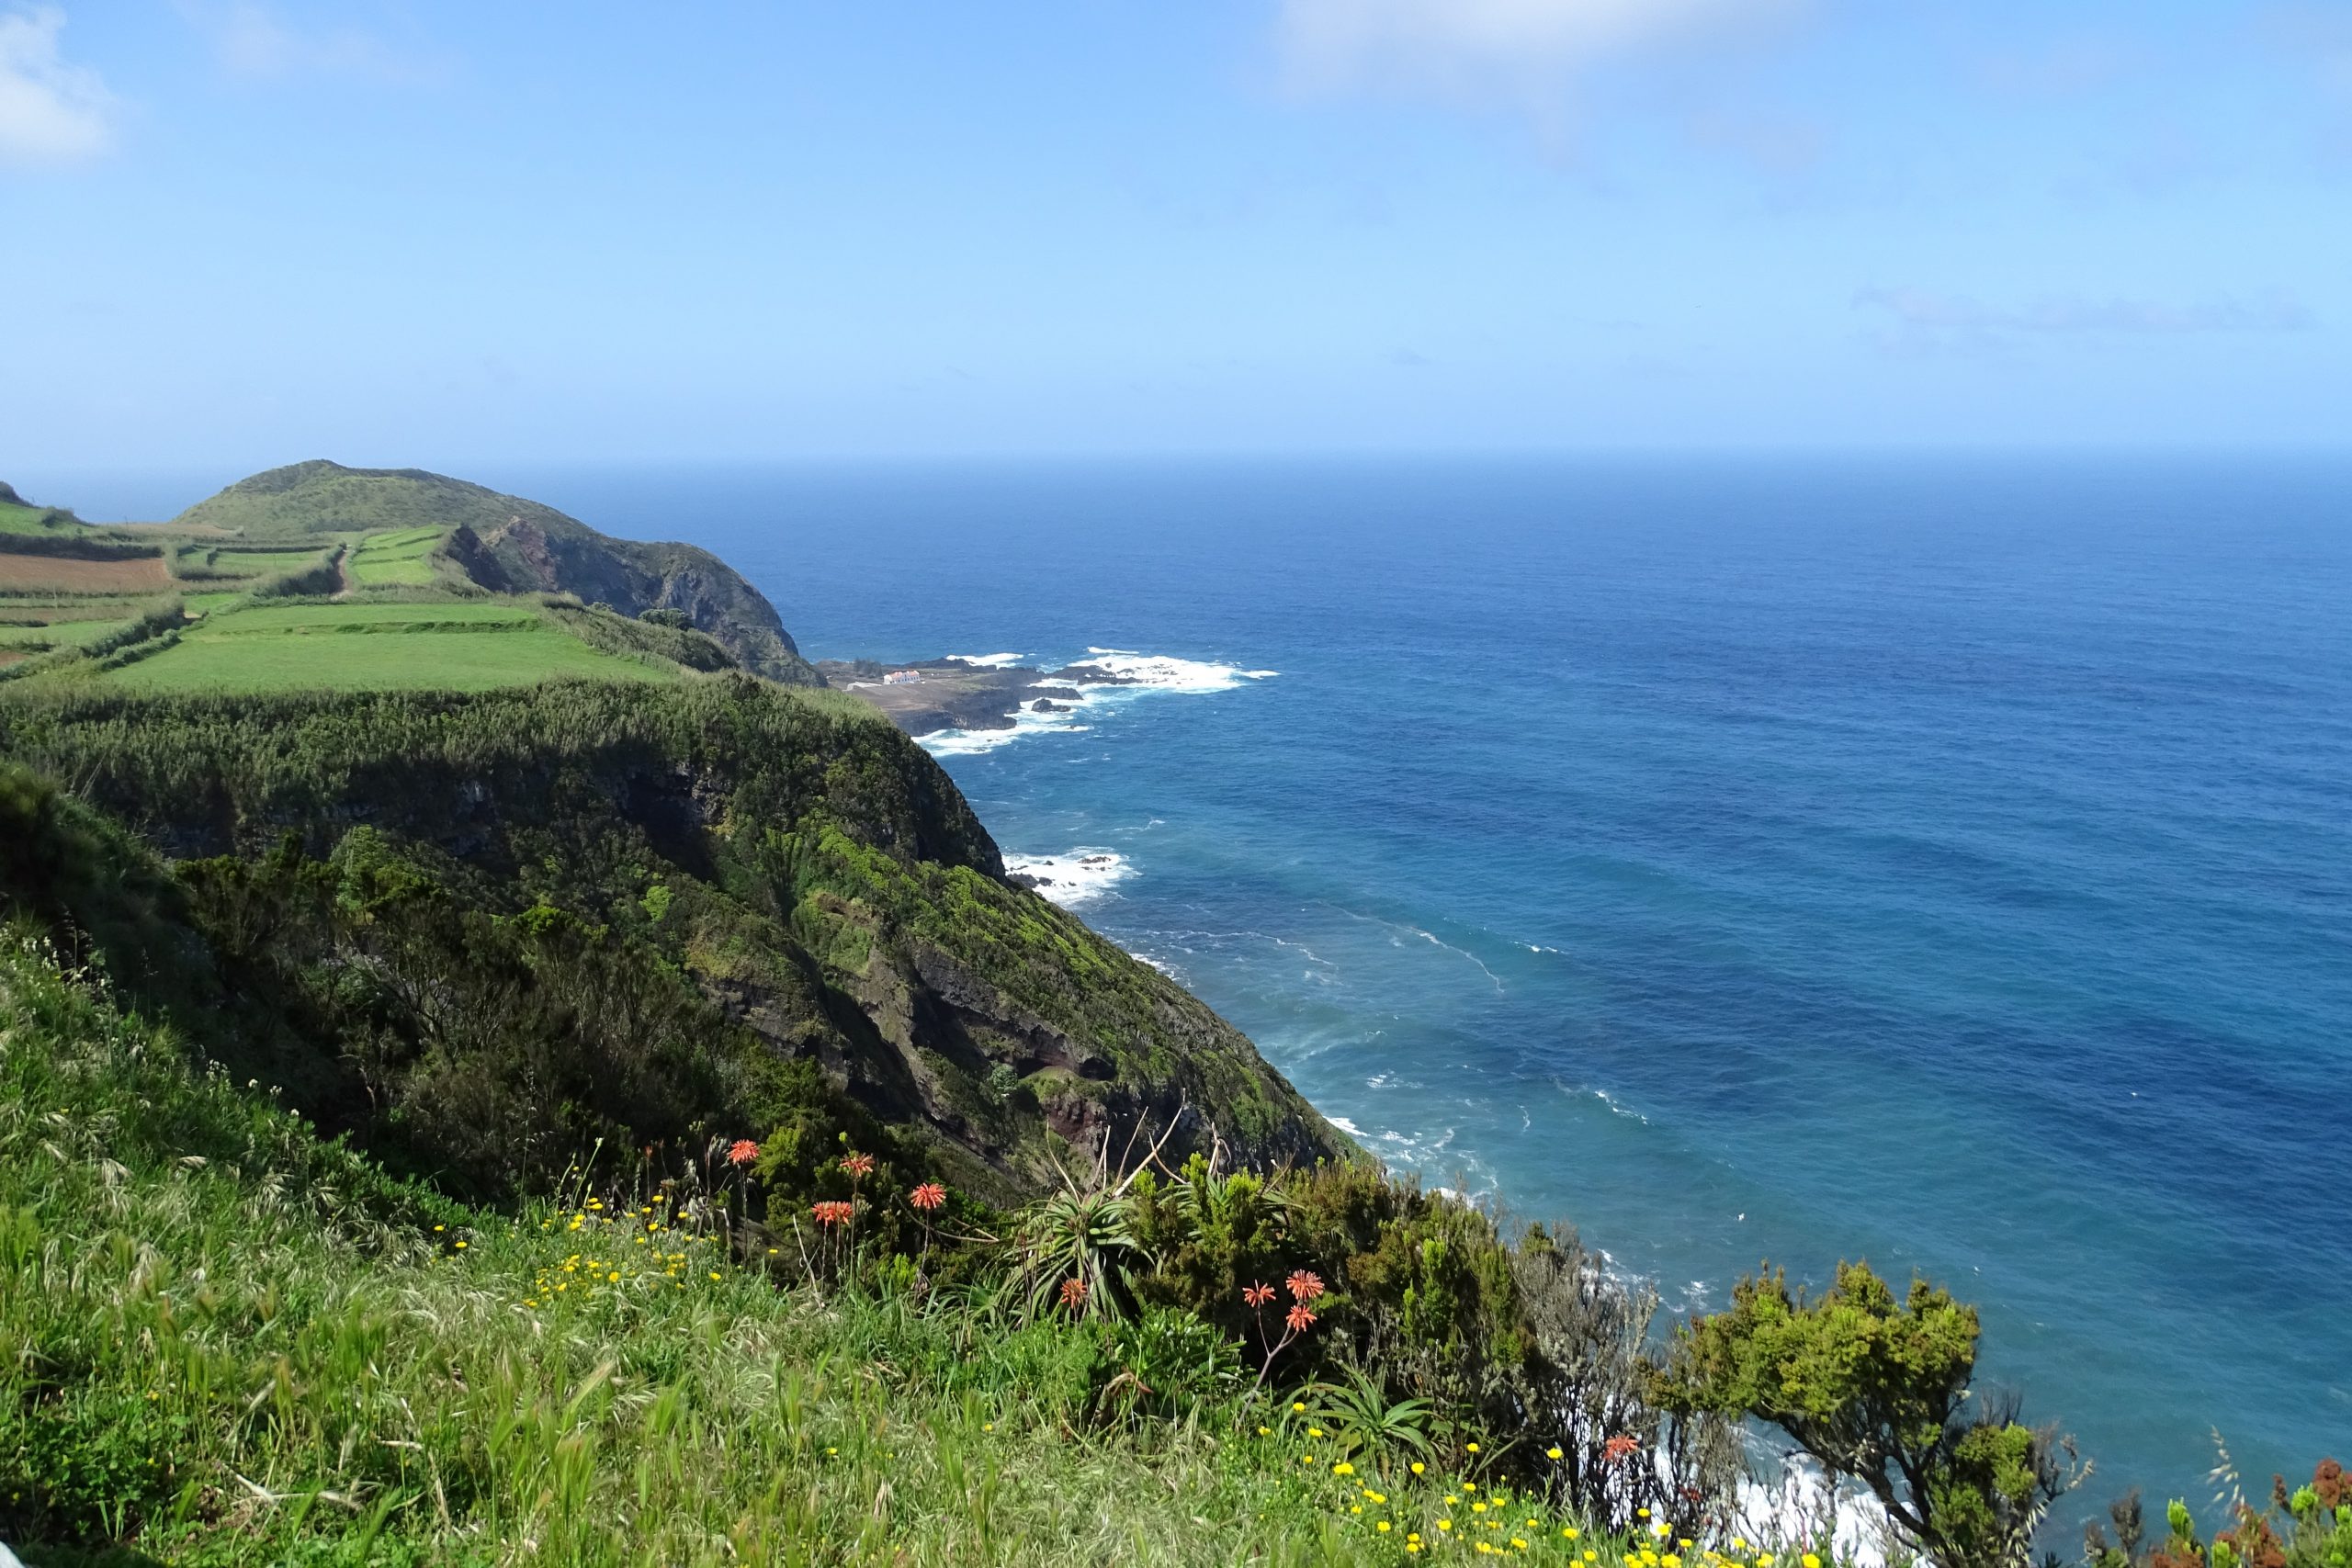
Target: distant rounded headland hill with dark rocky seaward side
<point x="509" y="544"/>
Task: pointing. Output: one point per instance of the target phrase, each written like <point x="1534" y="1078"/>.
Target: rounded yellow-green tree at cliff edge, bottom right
<point x="1878" y="1391"/>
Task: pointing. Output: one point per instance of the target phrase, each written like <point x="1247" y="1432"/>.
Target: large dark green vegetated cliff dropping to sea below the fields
<point x="488" y="927"/>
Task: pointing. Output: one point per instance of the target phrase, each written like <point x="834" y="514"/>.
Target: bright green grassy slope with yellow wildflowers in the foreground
<point x="229" y="1343"/>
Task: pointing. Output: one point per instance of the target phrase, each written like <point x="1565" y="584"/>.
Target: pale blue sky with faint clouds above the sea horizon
<point x="413" y="232"/>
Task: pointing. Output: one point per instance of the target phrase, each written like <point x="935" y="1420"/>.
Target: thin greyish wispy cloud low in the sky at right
<point x="1913" y="321"/>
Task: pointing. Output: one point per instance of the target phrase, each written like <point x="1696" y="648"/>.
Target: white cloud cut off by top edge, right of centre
<point x="1495" y="46"/>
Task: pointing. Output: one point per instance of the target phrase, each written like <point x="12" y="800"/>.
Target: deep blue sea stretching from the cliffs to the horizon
<point x="1937" y="862"/>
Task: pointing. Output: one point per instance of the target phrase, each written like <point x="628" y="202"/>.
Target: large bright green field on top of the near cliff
<point x="375" y="648"/>
